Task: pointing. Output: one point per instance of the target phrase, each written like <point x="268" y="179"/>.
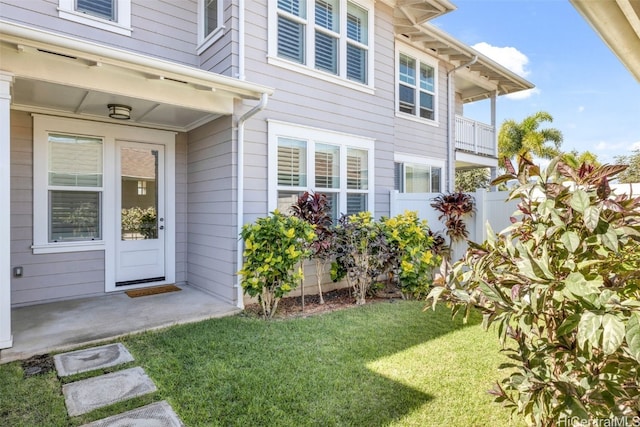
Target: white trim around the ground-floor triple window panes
<point x="278" y="129"/>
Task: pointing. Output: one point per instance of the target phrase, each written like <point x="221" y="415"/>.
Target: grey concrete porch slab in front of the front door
<point x="64" y="325"/>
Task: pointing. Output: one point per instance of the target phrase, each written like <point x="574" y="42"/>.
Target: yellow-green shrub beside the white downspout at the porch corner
<point x="274" y="246"/>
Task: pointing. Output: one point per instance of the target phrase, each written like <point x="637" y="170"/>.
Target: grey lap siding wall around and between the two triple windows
<point x="310" y="101"/>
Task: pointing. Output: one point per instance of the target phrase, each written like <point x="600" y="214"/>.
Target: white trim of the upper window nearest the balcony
<point x="429" y="60"/>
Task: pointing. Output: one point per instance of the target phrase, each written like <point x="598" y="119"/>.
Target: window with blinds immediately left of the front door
<point x="75" y="176"/>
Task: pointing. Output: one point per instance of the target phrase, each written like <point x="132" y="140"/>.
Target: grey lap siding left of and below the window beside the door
<point x="46" y="276"/>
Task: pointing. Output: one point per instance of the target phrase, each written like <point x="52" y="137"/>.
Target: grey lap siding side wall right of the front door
<point x="211" y="232"/>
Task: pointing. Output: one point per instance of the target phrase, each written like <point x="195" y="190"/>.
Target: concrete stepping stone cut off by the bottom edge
<point x="159" y="414"/>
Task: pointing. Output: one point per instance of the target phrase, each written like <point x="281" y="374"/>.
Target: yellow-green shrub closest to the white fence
<point x="412" y="253"/>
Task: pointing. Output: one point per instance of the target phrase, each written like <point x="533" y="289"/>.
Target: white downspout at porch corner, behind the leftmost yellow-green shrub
<point x="240" y="188"/>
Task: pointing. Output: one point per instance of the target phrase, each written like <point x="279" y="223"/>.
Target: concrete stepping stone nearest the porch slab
<point x="89" y="359"/>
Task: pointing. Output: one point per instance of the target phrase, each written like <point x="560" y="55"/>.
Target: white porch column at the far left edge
<point x="6" y="339"/>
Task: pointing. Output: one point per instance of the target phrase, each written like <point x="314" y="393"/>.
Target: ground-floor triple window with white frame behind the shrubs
<point x="338" y="165"/>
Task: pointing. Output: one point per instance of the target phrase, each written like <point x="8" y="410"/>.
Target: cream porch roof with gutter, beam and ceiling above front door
<point x="57" y="74"/>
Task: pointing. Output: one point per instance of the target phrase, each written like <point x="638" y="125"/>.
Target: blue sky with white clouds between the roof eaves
<point x="592" y="97"/>
